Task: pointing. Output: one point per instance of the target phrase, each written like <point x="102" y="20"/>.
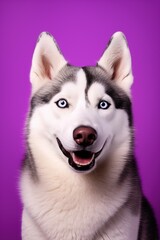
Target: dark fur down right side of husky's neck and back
<point x="136" y="202"/>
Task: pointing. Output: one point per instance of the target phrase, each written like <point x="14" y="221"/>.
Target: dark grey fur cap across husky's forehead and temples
<point x="68" y="73"/>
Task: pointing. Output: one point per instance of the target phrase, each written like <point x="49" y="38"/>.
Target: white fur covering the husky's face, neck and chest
<point x="64" y="204"/>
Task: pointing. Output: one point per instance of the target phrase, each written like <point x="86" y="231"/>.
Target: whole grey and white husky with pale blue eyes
<point x="79" y="178"/>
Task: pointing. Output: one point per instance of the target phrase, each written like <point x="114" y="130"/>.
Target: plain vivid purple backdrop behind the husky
<point x="82" y="29"/>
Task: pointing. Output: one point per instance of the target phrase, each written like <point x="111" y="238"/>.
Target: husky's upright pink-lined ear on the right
<point x="116" y="60"/>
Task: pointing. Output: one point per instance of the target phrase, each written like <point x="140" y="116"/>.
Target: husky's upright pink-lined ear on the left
<point x="46" y="62"/>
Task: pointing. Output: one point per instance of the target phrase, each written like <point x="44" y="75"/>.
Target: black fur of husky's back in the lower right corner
<point x="148" y="228"/>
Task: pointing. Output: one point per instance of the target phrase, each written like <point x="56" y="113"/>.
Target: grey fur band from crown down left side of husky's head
<point x="43" y="96"/>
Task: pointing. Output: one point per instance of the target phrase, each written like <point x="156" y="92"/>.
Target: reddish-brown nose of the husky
<point x="84" y="136"/>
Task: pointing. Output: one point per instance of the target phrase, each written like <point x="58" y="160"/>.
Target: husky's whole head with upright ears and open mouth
<point x="84" y="114"/>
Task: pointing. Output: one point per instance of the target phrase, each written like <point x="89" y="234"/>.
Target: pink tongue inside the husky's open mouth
<point x="82" y="159"/>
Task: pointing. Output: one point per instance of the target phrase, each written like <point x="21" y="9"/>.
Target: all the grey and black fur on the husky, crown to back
<point x="135" y="201"/>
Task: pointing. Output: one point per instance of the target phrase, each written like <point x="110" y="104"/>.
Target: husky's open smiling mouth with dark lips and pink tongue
<point x="80" y="160"/>
